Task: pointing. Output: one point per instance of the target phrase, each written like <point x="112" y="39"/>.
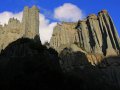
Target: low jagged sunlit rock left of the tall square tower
<point x="10" y="32"/>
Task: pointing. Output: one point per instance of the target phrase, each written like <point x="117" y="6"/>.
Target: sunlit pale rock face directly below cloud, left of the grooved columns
<point x="64" y="34"/>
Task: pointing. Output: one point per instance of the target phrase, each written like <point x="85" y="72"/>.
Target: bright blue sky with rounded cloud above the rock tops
<point x="48" y="7"/>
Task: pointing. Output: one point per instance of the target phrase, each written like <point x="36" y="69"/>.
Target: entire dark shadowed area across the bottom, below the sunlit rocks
<point x="26" y="64"/>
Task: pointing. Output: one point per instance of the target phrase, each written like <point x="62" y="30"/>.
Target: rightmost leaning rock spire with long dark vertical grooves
<point x="110" y="40"/>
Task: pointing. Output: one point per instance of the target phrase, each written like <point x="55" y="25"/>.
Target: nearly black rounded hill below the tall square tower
<point x="26" y="64"/>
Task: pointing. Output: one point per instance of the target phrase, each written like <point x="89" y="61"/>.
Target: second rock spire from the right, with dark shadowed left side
<point x="94" y="29"/>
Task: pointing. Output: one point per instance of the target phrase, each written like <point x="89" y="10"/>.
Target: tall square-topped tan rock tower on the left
<point x="30" y="22"/>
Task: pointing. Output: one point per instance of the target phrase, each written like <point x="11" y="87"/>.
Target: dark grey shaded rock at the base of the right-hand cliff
<point x="104" y="76"/>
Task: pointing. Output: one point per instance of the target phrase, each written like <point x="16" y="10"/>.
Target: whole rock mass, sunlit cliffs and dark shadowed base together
<point x="26" y="64"/>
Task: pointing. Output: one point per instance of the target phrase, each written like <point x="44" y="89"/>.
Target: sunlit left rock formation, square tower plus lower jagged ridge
<point x="28" y="28"/>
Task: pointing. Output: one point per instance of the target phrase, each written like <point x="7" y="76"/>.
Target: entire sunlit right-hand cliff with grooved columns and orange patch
<point x="96" y="36"/>
